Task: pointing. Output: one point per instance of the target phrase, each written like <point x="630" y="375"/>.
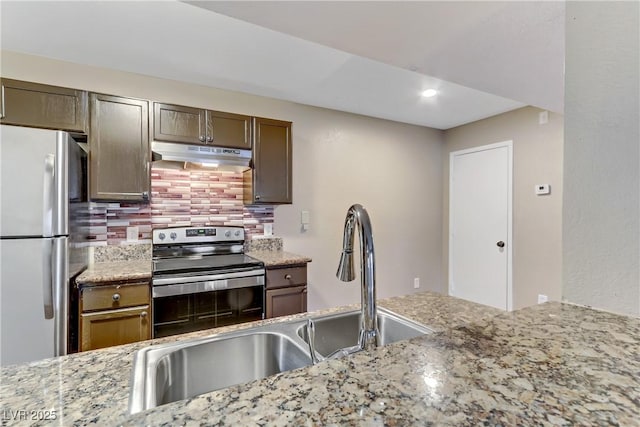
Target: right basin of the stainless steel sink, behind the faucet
<point x="337" y="331"/>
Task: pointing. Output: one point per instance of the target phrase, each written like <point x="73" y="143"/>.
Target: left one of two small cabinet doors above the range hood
<point x="175" y="123"/>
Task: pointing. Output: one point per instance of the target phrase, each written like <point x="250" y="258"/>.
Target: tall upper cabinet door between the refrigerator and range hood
<point x="119" y="148"/>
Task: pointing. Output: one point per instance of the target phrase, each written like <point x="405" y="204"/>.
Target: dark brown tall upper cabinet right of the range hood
<point x="269" y="182"/>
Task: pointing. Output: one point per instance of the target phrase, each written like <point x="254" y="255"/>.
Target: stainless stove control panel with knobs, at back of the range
<point x="177" y="235"/>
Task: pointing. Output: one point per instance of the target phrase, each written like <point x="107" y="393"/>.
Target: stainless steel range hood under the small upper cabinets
<point x="203" y="154"/>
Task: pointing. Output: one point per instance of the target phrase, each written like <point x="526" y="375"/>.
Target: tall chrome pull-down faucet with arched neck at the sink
<point x="357" y="217"/>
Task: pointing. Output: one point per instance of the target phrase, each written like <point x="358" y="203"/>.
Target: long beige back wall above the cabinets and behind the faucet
<point x="393" y="169"/>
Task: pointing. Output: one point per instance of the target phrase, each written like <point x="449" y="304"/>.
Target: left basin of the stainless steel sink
<point x="167" y="373"/>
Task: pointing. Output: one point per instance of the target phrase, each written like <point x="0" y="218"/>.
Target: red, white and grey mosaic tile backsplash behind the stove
<point x="179" y="197"/>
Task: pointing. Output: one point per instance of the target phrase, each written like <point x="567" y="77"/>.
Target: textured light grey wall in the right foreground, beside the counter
<point x="602" y="156"/>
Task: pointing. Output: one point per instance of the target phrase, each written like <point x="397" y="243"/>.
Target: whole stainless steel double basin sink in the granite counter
<point x="176" y="371"/>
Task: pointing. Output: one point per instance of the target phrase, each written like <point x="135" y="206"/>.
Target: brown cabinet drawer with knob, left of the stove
<point x="114" y="296"/>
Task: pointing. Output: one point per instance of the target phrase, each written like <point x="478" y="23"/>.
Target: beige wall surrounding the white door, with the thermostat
<point x="537" y="220"/>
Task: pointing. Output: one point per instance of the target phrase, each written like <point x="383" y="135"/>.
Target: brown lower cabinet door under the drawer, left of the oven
<point x="114" y="327"/>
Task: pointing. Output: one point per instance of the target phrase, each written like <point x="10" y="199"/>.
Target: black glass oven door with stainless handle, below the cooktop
<point x="187" y="307"/>
